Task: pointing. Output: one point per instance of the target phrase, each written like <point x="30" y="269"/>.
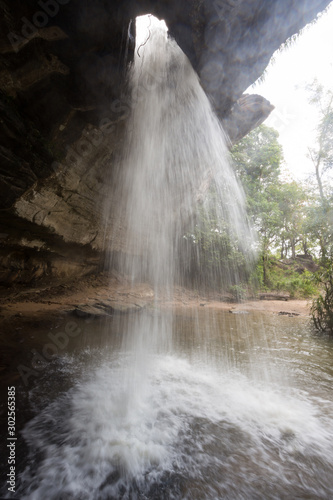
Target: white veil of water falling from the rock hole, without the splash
<point x="175" y="148"/>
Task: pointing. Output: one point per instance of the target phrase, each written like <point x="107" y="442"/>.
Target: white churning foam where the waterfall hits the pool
<point x="192" y="422"/>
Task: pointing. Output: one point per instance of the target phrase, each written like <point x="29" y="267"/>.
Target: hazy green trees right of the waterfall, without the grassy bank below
<point x="277" y="208"/>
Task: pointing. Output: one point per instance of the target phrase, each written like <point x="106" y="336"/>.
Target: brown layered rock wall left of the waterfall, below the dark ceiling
<point x="56" y="229"/>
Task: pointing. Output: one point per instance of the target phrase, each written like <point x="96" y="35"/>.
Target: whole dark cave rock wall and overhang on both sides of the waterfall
<point x="63" y="105"/>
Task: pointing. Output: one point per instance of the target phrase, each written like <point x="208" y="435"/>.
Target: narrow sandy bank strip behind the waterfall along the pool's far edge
<point x="50" y="302"/>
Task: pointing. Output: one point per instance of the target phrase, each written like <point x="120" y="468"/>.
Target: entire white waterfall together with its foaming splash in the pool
<point x="154" y="420"/>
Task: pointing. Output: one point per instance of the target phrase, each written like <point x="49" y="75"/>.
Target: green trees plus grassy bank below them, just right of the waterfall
<point x="280" y="212"/>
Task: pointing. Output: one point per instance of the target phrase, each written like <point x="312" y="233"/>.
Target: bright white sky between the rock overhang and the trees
<point x="309" y="57"/>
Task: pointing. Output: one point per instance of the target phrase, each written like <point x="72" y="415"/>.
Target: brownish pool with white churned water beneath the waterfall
<point x="240" y="407"/>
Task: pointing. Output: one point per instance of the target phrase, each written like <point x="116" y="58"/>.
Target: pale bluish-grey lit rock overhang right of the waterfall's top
<point x="239" y="40"/>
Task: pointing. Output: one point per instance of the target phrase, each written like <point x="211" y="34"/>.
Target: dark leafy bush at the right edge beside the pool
<point x="322" y="306"/>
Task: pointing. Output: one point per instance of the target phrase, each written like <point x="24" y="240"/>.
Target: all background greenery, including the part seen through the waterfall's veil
<point x="290" y="218"/>
